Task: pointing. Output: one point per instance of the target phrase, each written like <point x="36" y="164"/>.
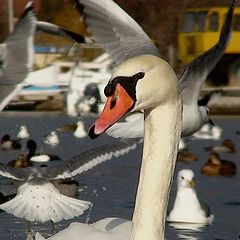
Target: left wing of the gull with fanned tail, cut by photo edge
<point x="20" y="174"/>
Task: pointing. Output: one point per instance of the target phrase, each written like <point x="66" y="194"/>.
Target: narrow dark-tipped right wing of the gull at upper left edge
<point x="54" y="29"/>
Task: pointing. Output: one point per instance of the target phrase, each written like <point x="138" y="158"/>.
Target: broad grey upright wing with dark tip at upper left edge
<point x="17" y="55"/>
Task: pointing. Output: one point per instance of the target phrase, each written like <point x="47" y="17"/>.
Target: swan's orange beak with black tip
<point x="116" y="106"/>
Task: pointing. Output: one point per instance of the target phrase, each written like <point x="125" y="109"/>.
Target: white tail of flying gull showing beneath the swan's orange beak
<point x="130" y="128"/>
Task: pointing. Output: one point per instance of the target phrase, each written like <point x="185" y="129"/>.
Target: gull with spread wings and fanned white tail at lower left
<point x="38" y="197"/>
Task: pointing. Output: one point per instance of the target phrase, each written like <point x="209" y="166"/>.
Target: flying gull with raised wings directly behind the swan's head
<point x="190" y="81"/>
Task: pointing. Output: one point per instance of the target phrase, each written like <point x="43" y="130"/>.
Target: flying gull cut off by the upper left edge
<point x="18" y="52"/>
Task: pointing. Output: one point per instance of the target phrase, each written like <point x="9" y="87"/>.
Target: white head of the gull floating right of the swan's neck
<point x="186" y="179"/>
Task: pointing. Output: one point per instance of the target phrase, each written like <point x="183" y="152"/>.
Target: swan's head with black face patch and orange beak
<point x="139" y="83"/>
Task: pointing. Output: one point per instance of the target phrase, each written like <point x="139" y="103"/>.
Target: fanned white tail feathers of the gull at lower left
<point x="43" y="202"/>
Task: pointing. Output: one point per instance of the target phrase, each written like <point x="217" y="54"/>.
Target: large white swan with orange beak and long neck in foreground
<point x="143" y="82"/>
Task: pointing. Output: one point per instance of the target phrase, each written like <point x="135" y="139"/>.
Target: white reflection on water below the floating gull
<point x="188" y="230"/>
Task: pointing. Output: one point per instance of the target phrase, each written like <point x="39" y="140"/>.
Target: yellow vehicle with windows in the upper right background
<point x="200" y="31"/>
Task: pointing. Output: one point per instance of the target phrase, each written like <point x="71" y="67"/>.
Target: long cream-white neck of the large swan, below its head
<point x="161" y="138"/>
